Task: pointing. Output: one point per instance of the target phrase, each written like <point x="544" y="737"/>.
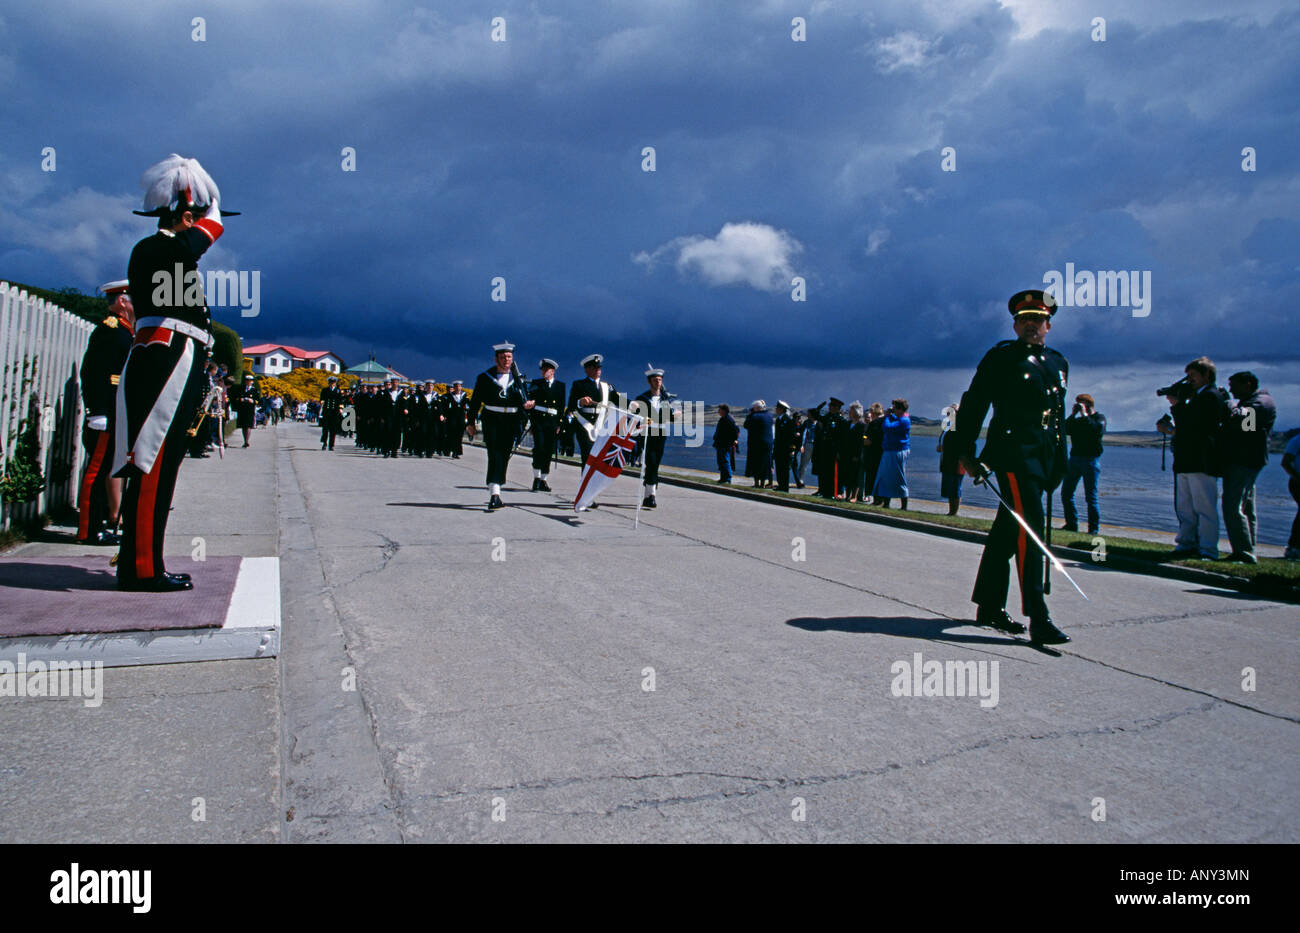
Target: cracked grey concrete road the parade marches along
<point x="727" y="672"/>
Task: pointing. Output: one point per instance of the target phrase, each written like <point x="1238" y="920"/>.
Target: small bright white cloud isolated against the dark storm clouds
<point x="755" y="255"/>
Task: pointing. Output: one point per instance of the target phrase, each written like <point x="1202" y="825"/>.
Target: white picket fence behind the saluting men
<point x="41" y="353"/>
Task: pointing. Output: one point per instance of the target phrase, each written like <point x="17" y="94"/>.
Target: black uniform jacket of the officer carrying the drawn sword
<point x="1025" y="385"/>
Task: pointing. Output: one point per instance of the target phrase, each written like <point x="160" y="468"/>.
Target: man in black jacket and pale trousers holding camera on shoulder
<point x="1198" y="411"/>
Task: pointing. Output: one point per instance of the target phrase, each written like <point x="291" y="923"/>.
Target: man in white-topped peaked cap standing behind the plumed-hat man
<point x="101" y="497"/>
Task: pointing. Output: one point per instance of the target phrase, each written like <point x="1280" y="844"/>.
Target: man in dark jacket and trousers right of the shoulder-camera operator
<point x="1246" y="452"/>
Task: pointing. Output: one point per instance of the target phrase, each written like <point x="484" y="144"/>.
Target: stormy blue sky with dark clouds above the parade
<point x="820" y="159"/>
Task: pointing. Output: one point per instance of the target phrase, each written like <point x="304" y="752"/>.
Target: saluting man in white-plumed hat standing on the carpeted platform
<point x="163" y="379"/>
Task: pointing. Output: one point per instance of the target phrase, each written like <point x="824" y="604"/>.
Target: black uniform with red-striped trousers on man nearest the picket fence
<point x="102" y="368"/>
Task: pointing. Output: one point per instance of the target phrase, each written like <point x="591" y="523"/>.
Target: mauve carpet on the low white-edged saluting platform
<point x="80" y="596"/>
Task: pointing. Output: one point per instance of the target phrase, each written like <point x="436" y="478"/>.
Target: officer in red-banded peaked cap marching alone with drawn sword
<point x="1025" y="383"/>
